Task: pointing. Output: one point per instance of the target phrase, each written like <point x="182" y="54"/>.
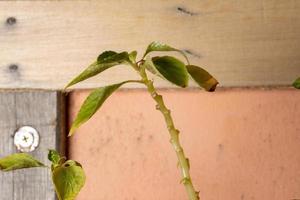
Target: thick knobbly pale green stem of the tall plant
<point x="174" y="133"/>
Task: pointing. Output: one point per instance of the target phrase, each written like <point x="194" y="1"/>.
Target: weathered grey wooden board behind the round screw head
<point x="41" y="110"/>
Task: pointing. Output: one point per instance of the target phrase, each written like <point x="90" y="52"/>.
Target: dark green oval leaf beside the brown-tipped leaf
<point x="172" y="69"/>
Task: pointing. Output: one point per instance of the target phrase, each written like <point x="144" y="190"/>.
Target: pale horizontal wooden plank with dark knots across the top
<point x="243" y="43"/>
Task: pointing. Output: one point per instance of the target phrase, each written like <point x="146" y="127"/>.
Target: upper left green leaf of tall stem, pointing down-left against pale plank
<point x="104" y="61"/>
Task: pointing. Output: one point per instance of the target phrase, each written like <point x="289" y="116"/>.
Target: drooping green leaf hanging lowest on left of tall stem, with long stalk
<point x="93" y="102"/>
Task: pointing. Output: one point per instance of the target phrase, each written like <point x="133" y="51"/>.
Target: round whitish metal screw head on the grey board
<point x="26" y="139"/>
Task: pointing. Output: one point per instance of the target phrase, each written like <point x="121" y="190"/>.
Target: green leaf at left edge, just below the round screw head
<point x="19" y="161"/>
